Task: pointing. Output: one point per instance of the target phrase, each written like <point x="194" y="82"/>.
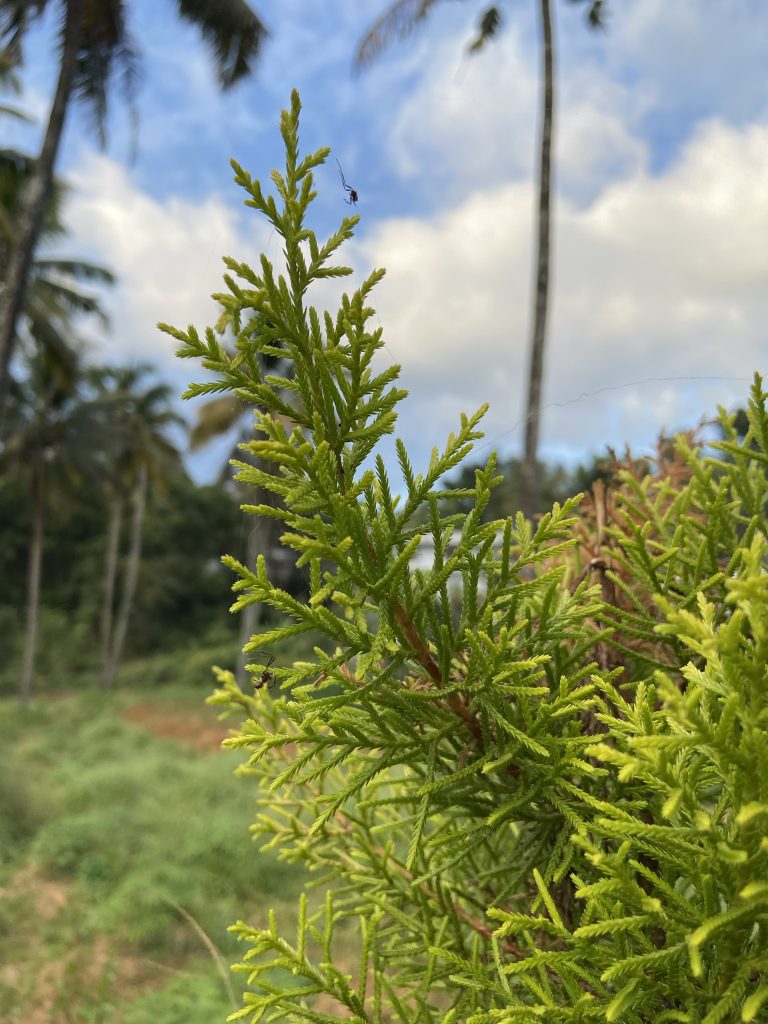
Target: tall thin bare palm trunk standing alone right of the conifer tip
<point x="530" y="483"/>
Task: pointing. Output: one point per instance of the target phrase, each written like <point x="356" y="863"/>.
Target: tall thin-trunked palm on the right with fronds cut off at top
<point x="400" y="20"/>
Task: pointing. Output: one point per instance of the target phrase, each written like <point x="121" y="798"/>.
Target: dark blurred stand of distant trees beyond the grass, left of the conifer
<point x="103" y="530"/>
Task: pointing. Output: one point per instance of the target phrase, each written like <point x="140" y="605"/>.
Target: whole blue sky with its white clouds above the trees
<point x="661" y="227"/>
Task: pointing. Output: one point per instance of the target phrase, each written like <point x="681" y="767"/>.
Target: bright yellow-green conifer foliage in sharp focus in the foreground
<point x="506" y="831"/>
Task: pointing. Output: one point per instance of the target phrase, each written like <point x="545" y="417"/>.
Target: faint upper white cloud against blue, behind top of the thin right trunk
<point x="472" y="122"/>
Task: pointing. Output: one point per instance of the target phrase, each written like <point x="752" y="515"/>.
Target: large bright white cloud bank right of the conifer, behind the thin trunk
<point x="661" y="277"/>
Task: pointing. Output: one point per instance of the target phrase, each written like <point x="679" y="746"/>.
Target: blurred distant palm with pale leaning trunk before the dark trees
<point x="136" y="451"/>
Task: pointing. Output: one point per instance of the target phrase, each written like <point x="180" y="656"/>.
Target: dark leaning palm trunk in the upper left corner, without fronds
<point x="38" y="193"/>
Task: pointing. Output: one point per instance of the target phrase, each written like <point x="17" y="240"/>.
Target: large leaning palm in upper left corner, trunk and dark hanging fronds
<point x="94" y="39"/>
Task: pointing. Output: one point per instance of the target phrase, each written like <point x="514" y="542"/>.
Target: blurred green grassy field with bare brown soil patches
<point x="124" y="856"/>
